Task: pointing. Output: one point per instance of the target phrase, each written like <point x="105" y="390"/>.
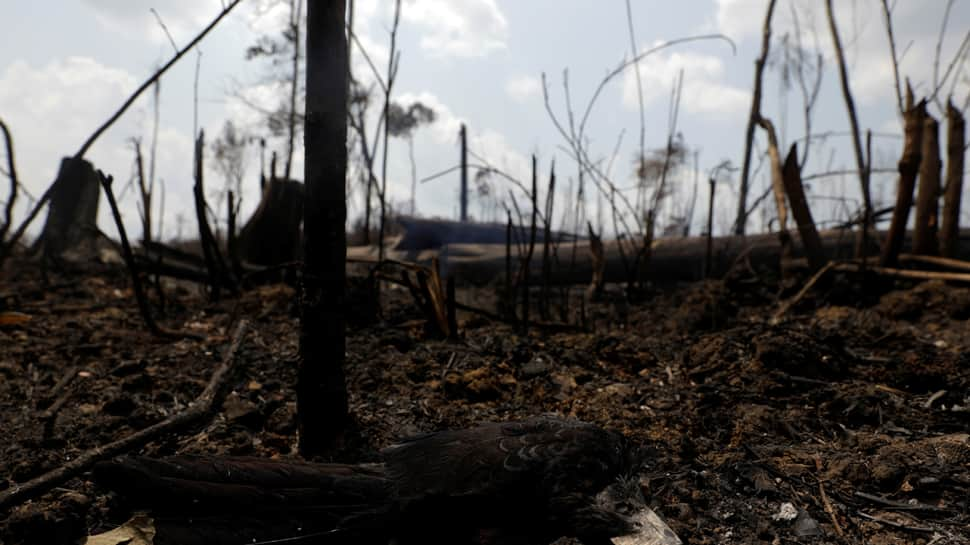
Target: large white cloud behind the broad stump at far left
<point x="52" y="109"/>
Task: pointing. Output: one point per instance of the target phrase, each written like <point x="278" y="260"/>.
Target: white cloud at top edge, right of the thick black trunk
<point x="457" y="28"/>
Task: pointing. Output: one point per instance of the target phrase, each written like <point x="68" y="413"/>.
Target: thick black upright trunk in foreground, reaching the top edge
<point x="321" y="390"/>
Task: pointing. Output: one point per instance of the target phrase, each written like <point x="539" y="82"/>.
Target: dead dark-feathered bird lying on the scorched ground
<point x="528" y="481"/>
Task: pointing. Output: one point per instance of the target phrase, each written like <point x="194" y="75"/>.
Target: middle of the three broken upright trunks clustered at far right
<point x="928" y="195"/>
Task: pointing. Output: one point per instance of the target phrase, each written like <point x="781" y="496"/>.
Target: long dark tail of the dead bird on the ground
<point x="235" y="500"/>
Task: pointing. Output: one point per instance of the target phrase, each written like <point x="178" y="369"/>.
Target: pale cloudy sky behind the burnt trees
<point x="480" y="62"/>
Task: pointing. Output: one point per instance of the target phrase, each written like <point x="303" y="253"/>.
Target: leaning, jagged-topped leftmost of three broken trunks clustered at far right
<point x="908" y="168"/>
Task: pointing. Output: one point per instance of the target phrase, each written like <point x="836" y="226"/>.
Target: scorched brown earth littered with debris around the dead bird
<point x="855" y="410"/>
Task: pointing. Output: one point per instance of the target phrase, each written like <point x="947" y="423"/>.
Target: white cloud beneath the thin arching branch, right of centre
<point x="704" y="90"/>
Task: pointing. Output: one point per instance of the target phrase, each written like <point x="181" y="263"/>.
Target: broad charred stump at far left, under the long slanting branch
<point x="72" y="219"/>
